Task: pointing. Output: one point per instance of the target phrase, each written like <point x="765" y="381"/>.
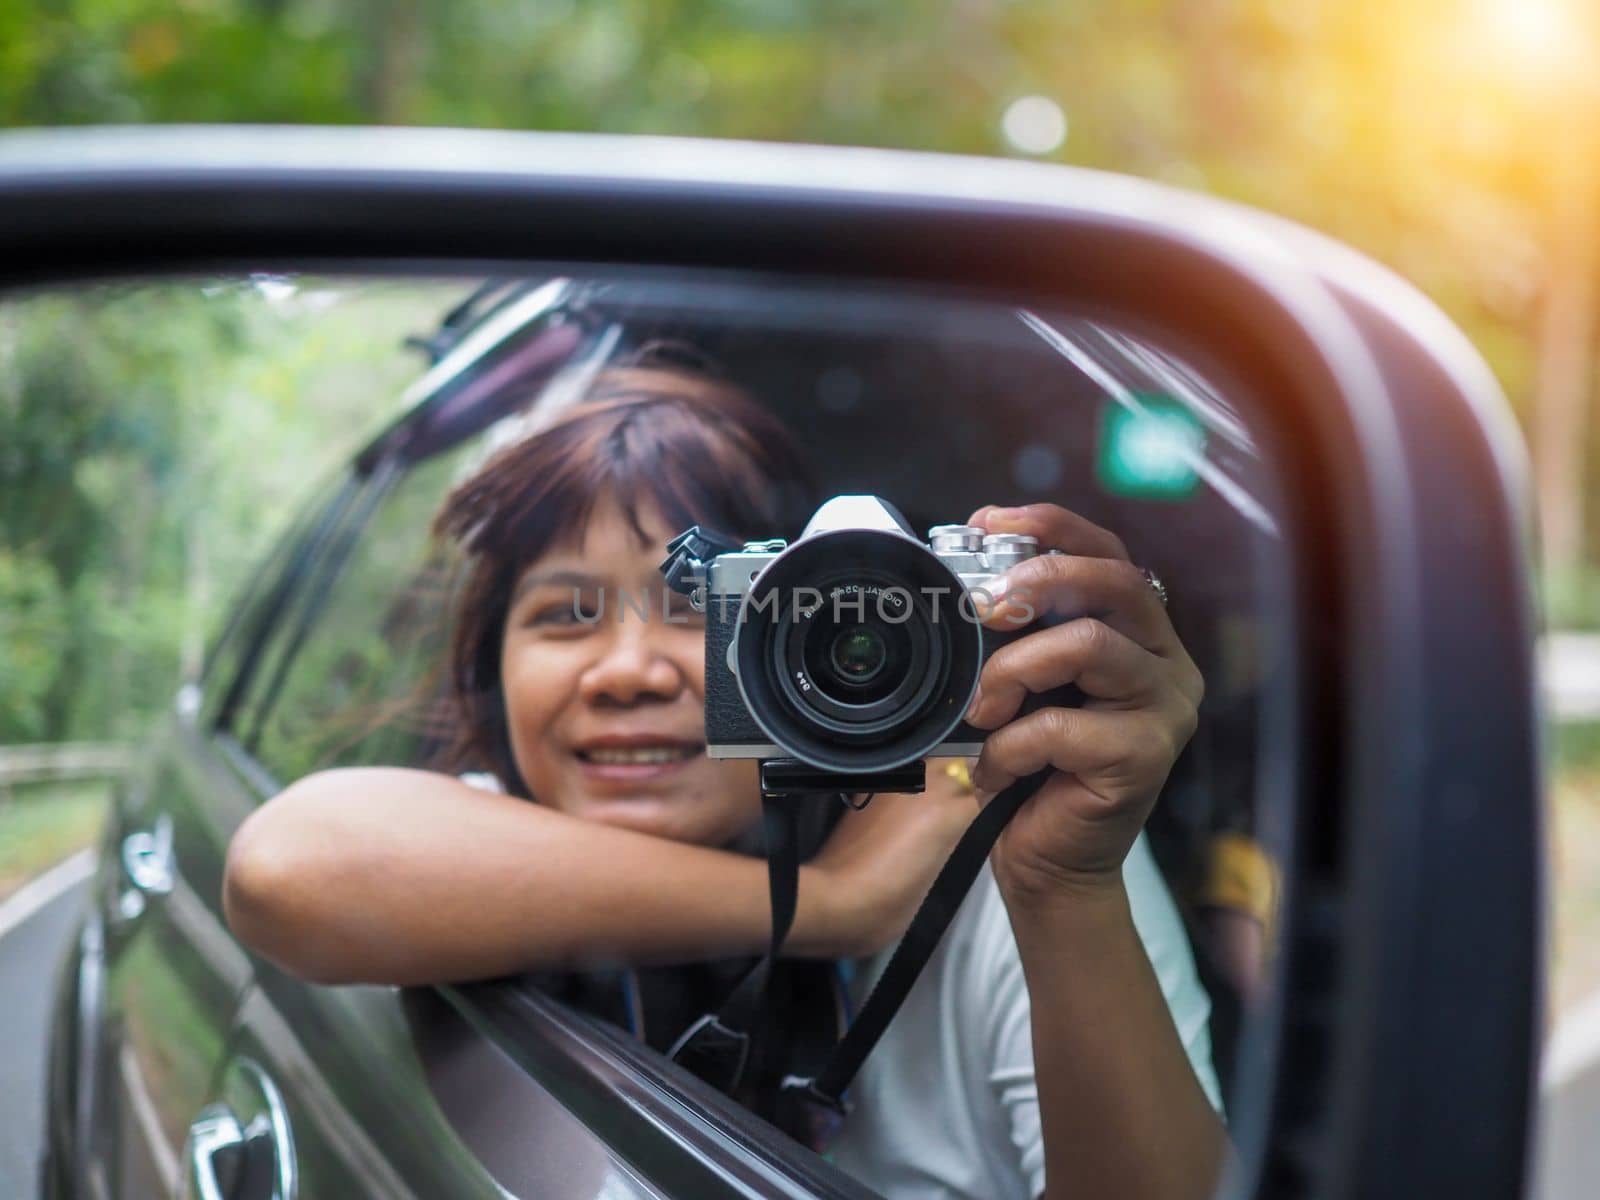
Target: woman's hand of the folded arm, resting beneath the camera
<point x="881" y="862"/>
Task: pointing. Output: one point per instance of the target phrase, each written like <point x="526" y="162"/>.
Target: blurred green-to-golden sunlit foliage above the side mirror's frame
<point x="1410" y="130"/>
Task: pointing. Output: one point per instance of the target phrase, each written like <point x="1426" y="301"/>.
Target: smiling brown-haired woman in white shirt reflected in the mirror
<point x="630" y="854"/>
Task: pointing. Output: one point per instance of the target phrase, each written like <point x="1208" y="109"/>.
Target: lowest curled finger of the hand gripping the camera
<point x="1114" y="754"/>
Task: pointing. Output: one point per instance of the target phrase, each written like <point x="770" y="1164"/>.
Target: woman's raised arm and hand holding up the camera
<point x="1121" y="1106"/>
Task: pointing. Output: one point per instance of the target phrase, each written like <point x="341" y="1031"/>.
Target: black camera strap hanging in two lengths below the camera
<point x="719" y="1046"/>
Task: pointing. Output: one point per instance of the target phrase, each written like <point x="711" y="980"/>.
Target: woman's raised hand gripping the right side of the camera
<point x="1113" y="754"/>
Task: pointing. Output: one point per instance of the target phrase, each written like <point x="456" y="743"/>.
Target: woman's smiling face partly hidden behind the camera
<point x="607" y="718"/>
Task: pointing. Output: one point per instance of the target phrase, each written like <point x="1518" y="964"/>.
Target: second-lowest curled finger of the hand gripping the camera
<point x="1102" y="662"/>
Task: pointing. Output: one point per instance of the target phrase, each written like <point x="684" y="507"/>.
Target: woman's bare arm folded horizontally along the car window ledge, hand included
<point x="406" y="878"/>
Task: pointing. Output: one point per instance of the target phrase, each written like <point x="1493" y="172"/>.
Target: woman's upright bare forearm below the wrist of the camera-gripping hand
<point x="1121" y="1106"/>
